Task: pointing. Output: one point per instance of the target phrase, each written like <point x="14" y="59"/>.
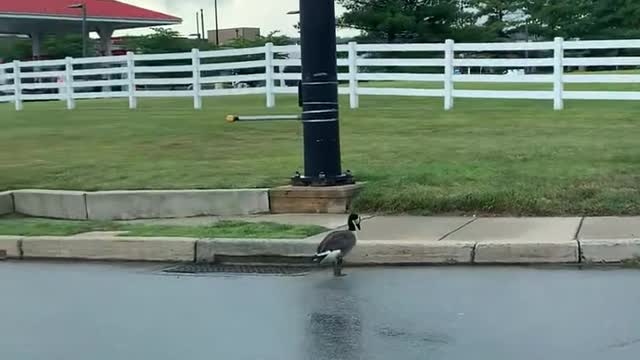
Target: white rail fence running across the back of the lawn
<point x="272" y="70"/>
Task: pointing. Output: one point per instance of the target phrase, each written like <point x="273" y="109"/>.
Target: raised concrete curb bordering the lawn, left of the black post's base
<point x="130" y="205"/>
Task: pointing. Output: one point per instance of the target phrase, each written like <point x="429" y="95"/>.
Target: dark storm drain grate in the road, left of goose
<point x="238" y="269"/>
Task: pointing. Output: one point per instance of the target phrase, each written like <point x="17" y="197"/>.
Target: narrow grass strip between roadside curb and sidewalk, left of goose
<point x="224" y="229"/>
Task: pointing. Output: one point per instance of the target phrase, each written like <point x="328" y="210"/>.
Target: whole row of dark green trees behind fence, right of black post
<point x="491" y="20"/>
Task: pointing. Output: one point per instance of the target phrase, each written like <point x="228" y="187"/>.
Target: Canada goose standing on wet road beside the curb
<point x="338" y="244"/>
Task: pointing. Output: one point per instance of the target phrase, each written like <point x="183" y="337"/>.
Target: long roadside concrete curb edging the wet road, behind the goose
<point x="379" y="252"/>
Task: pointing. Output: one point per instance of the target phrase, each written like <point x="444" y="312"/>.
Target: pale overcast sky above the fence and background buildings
<point x="268" y="15"/>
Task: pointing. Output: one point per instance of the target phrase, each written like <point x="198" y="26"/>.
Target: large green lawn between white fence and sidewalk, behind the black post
<point x="485" y="156"/>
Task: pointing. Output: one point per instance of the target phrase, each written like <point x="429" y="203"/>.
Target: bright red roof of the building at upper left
<point x="98" y="9"/>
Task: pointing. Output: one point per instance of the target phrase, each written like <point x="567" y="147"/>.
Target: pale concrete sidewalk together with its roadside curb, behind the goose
<point x="383" y="240"/>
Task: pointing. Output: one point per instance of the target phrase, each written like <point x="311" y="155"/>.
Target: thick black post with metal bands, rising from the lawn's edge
<point x="319" y="90"/>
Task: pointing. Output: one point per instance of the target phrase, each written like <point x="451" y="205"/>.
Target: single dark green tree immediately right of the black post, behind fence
<point x="403" y="20"/>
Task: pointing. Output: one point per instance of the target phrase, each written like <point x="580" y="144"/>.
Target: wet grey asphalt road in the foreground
<point x="107" y="312"/>
